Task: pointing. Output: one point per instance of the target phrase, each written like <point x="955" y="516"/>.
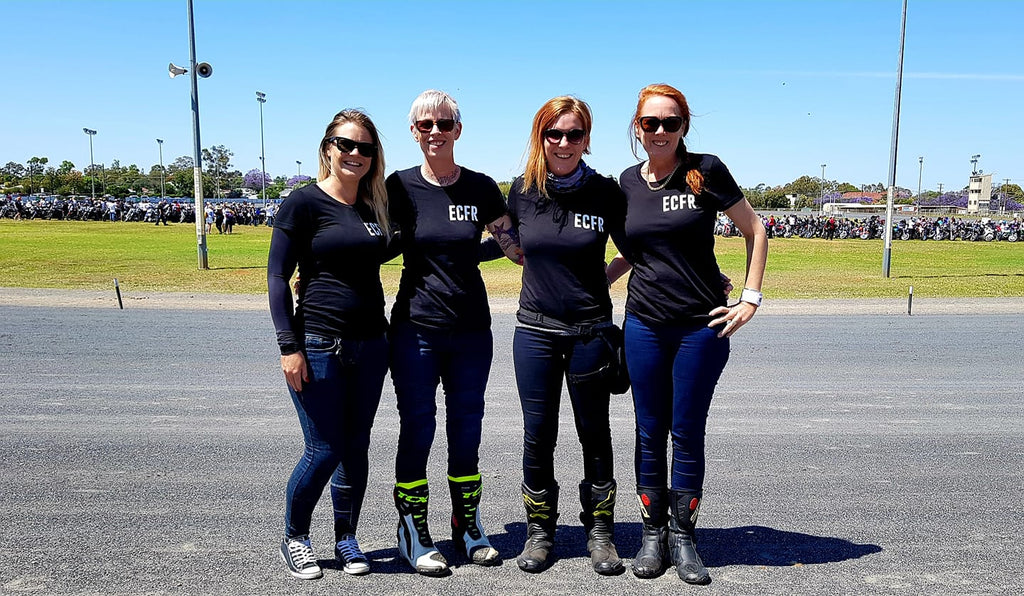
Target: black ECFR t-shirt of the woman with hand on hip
<point x="671" y="234"/>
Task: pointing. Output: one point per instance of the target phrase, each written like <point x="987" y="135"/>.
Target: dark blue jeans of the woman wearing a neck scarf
<point x="542" y="360"/>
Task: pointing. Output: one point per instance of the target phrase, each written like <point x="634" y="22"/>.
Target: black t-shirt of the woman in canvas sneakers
<point x="339" y="248"/>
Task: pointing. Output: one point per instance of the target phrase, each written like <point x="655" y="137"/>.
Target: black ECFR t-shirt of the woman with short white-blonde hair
<point x="442" y="287"/>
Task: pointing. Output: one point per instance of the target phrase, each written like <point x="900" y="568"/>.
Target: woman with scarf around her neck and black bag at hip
<point x="565" y="212"/>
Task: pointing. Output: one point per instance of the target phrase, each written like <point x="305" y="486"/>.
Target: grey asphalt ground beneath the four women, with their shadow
<point x="146" y="451"/>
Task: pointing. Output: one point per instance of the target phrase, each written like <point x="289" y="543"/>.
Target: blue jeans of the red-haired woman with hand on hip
<point x="674" y="370"/>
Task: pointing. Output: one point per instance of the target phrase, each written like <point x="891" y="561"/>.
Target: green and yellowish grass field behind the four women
<point x="145" y="258"/>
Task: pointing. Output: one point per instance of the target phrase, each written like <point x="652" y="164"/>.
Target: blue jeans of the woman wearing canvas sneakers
<point x="336" y="411"/>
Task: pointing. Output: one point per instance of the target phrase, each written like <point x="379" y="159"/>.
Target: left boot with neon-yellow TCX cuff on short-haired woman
<point x="415" y="544"/>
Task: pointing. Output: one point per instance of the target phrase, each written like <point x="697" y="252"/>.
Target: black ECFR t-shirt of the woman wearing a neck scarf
<point x="565" y="239"/>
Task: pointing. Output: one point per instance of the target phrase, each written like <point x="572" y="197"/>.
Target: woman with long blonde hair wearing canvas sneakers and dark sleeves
<point x="333" y="346"/>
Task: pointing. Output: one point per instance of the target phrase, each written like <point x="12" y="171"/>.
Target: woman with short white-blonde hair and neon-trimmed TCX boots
<point x="441" y="329"/>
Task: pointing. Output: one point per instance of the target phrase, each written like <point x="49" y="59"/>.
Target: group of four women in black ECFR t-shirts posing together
<point x="563" y="215"/>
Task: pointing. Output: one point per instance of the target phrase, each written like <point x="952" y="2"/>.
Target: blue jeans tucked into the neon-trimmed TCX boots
<point x="460" y="361"/>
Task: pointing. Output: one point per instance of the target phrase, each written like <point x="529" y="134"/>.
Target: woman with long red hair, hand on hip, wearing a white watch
<point x="677" y="321"/>
